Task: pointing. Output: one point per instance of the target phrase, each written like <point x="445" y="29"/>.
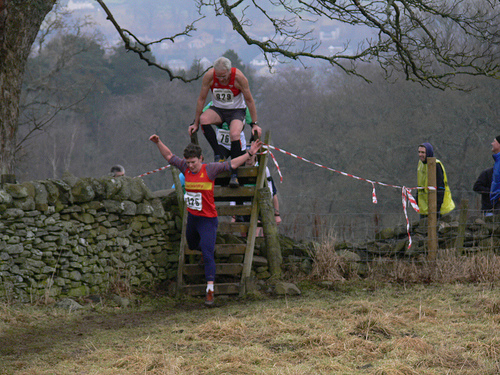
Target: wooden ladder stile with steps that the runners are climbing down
<point x="231" y="276"/>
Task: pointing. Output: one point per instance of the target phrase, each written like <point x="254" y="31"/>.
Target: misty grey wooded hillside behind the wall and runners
<point x="100" y="105"/>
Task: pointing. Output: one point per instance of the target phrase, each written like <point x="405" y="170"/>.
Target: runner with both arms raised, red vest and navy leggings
<point x="202" y="219"/>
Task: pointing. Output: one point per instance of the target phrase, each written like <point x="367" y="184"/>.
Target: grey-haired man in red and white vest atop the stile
<point x="230" y="96"/>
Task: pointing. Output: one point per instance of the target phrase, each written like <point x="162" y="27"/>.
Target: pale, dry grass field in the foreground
<point x="354" y="327"/>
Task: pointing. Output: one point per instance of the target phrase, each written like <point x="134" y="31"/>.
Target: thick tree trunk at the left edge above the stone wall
<point x="20" y="22"/>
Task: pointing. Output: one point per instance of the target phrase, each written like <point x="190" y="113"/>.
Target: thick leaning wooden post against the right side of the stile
<point x="270" y="232"/>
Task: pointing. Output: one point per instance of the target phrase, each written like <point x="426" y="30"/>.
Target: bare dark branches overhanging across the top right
<point x="431" y="41"/>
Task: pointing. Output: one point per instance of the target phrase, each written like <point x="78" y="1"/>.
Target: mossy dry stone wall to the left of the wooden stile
<point x="74" y="237"/>
